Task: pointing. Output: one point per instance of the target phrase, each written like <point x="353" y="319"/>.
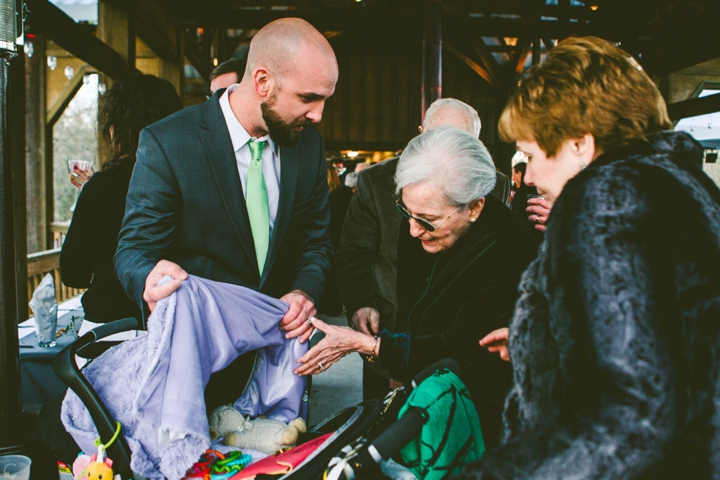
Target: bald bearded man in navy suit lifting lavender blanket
<point x="234" y="189"/>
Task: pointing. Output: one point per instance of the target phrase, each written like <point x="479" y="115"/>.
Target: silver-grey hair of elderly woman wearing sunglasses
<point x="452" y="160"/>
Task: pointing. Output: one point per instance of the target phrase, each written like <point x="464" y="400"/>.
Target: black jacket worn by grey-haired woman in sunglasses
<point x="465" y="293"/>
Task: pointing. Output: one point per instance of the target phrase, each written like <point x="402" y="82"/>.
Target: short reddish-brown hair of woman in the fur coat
<point x="586" y="85"/>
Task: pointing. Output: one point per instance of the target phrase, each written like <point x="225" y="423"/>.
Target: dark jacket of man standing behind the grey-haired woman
<point x="366" y="261"/>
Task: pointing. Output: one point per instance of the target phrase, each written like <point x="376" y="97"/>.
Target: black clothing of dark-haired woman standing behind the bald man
<point x="86" y="260"/>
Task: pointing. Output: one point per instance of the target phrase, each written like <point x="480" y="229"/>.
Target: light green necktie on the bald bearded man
<point x="257" y="204"/>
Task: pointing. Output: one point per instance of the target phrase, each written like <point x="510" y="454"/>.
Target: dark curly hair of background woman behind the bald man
<point x="129" y="106"/>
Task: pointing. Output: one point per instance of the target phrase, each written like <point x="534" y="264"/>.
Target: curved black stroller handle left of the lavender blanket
<point x="68" y="371"/>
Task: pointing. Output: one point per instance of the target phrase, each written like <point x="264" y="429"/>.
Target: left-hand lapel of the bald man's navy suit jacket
<point x="221" y="157"/>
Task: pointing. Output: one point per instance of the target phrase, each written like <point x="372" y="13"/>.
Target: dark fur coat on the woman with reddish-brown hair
<point x="615" y="343"/>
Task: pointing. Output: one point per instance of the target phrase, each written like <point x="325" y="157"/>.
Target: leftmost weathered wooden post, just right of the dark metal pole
<point x="35" y="172"/>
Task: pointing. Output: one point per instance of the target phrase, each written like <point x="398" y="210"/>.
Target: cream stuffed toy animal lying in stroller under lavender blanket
<point x="261" y="434"/>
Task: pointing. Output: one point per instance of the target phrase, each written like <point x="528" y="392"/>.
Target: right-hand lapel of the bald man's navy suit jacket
<point x="288" y="183"/>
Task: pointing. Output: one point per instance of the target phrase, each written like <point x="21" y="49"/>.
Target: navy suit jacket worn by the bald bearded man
<point x="185" y="204"/>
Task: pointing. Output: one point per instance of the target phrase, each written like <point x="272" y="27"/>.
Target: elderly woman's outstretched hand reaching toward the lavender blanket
<point x="338" y="342"/>
